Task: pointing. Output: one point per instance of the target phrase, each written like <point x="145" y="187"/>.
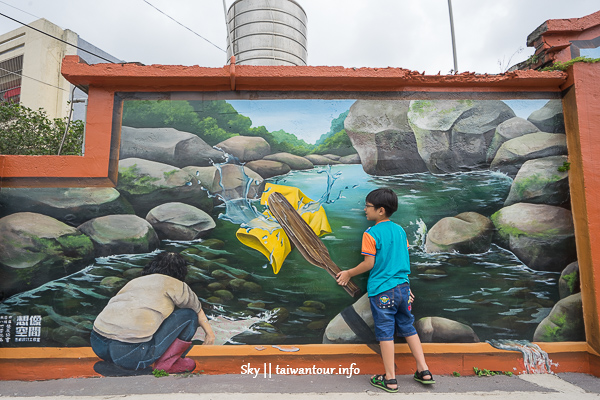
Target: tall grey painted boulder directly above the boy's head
<point x="380" y="133"/>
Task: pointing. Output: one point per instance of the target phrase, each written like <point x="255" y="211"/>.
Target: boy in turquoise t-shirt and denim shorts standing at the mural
<point x="385" y="249"/>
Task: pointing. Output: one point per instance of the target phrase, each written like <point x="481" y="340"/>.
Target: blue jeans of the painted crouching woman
<point x="181" y="324"/>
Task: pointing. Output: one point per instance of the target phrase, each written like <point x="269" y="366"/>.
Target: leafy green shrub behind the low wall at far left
<point x="24" y="131"/>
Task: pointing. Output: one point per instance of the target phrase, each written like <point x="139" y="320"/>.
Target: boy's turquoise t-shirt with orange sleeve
<point x="387" y="242"/>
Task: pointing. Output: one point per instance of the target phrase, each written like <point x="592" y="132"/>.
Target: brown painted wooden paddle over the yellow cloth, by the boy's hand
<point x="303" y="237"/>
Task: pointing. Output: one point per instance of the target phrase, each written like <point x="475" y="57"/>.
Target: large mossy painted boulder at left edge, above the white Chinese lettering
<point x="35" y="249"/>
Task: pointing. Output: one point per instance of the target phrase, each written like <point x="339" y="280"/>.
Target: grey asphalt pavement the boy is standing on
<point x="336" y="387"/>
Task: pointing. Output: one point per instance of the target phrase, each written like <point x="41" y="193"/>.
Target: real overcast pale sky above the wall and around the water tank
<point x="490" y="35"/>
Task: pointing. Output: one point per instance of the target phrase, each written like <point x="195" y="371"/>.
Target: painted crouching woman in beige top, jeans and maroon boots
<point x="152" y="320"/>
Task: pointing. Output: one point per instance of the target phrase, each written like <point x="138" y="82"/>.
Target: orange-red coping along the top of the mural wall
<point x="290" y="77"/>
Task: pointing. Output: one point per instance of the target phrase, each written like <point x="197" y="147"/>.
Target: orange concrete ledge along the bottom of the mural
<point x="443" y="359"/>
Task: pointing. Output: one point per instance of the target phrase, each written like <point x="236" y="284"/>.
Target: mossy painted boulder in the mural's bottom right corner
<point x="564" y="323"/>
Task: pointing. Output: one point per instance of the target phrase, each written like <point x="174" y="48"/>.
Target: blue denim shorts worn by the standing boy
<point x="391" y="313"/>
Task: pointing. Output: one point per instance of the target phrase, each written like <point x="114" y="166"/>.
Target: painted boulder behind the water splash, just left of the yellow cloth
<point x="228" y="181"/>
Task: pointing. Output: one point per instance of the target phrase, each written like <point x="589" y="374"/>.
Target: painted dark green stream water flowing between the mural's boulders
<point x="493" y="292"/>
